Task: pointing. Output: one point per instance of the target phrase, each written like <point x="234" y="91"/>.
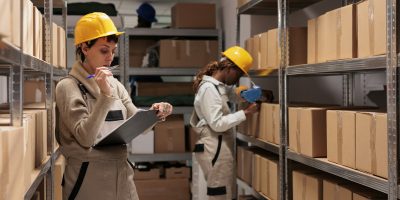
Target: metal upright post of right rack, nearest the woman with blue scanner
<point x="283" y="35"/>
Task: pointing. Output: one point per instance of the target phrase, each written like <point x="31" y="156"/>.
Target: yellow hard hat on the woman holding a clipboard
<point x="93" y="26"/>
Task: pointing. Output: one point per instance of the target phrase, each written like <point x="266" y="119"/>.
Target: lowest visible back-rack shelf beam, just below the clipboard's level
<point x="159" y="157"/>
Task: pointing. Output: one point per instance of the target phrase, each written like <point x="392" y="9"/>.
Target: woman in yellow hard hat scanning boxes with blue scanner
<point x="214" y="122"/>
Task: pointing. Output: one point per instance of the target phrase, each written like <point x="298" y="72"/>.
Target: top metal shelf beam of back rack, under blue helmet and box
<point x="172" y="32"/>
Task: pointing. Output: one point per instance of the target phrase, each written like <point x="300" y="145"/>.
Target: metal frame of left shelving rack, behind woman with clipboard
<point x="17" y="65"/>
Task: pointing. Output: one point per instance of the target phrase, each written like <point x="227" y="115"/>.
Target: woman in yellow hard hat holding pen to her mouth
<point x="90" y="104"/>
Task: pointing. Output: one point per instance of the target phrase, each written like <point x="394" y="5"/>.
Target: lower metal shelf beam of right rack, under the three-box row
<point x="322" y="164"/>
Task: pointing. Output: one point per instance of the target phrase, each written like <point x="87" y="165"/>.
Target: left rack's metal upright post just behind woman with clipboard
<point x="48" y="16"/>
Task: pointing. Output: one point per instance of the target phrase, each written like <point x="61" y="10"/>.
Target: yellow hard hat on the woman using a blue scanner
<point x="240" y="57"/>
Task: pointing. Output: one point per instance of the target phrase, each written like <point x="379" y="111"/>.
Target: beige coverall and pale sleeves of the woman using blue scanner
<point x="213" y="121"/>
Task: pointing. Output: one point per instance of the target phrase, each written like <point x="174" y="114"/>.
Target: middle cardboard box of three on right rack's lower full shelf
<point x="341" y="137"/>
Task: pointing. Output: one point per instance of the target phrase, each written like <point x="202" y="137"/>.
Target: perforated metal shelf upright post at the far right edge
<point x="392" y="98"/>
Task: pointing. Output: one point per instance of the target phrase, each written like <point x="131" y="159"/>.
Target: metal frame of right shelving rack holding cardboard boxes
<point x="346" y="68"/>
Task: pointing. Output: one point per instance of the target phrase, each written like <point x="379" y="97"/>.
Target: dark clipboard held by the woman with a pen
<point x="135" y="125"/>
